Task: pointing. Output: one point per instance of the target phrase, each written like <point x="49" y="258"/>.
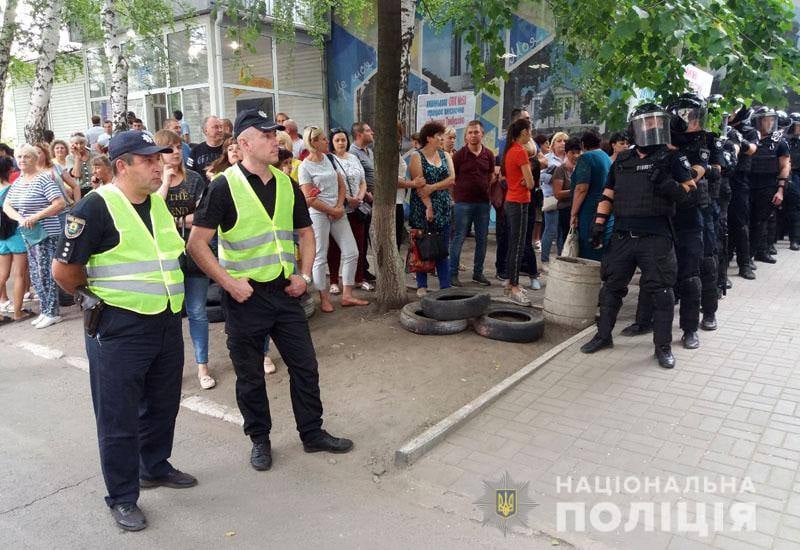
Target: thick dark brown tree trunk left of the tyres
<point x="391" y="284"/>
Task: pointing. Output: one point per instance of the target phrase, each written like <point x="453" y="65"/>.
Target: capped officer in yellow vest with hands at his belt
<point x="255" y="207"/>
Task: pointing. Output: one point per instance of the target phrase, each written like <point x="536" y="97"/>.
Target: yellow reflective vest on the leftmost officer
<point x="142" y="273"/>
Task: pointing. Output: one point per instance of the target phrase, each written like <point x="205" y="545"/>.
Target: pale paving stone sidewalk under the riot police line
<point x="729" y="410"/>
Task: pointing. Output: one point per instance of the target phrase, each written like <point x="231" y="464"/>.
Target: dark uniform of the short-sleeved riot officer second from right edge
<point x="764" y="172"/>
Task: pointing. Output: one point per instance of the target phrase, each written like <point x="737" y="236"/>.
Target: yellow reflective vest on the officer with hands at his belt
<point x="258" y="247"/>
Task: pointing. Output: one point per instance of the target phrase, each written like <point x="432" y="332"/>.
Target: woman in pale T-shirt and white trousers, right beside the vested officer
<point x="323" y="185"/>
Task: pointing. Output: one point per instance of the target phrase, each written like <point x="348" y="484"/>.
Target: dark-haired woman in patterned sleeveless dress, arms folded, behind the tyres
<point x="430" y="204"/>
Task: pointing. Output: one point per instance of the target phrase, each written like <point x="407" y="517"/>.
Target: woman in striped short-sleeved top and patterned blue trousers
<point x="34" y="202"/>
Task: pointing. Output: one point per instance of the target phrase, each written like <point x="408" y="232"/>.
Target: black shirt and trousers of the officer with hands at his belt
<point x="269" y="312"/>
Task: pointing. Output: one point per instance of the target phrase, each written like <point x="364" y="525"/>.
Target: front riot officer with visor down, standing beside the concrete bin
<point x="642" y="192"/>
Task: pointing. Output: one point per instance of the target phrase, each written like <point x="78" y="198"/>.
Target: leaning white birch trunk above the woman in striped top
<point x="45" y="71"/>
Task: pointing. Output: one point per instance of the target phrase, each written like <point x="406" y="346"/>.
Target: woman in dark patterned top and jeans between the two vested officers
<point x="181" y="189"/>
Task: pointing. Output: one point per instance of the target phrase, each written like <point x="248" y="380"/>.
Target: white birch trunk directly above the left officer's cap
<point x="117" y="64"/>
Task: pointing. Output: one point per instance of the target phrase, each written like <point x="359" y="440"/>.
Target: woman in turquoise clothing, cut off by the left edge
<point x="13" y="256"/>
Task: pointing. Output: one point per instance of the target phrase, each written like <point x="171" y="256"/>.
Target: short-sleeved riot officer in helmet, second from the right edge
<point x="769" y="172"/>
